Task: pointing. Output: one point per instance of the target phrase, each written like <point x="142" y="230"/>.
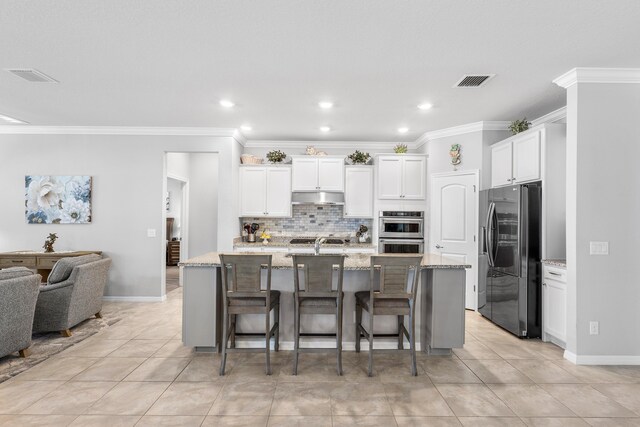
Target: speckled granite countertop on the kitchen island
<point x="352" y="261"/>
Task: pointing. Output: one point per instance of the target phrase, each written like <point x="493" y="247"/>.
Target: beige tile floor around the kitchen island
<point x="138" y="373"/>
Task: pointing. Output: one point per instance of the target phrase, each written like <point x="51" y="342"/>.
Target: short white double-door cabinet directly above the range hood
<point x="318" y="173"/>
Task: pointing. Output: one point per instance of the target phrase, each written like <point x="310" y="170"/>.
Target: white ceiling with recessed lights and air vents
<point x="169" y="63"/>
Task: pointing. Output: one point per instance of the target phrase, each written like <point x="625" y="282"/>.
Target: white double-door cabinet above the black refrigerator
<point x="517" y="159"/>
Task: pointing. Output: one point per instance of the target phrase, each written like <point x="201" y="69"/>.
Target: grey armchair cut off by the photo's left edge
<point x="18" y="295"/>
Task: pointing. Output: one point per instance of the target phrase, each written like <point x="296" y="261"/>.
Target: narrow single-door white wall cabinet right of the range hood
<point x="358" y="192"/>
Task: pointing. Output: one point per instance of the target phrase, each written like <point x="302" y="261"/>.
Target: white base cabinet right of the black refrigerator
<point x="554" y="305"/>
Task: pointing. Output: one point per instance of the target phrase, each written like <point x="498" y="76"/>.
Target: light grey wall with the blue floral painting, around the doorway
<point x="128" y="198"/>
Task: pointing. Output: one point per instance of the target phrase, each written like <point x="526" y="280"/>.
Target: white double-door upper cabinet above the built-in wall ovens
<point x="401" y="177"/>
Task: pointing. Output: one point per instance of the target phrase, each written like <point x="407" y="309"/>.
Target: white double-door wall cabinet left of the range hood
<point x="265" y="191"/>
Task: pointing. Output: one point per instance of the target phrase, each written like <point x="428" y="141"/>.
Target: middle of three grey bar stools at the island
<point x="318" y="297"/>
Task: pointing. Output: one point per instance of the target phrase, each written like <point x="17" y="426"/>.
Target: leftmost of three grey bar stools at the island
<point x="243" y="294"/>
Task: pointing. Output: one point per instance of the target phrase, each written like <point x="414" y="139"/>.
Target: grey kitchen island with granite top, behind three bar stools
<point x="439" y="310"/>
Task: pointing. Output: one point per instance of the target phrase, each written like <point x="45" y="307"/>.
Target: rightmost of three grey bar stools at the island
<point x="396" y="296"/>
